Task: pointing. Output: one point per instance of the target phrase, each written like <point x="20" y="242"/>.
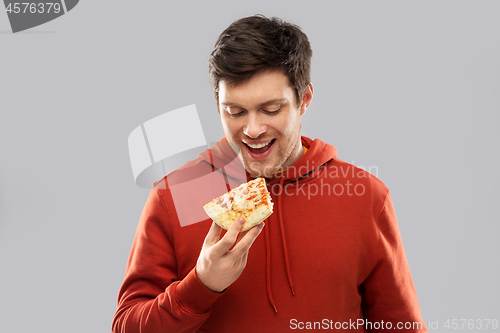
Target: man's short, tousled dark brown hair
<point x="257" y="43"/>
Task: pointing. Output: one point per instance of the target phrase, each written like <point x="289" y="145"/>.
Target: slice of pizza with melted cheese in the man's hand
<point x="249" y="200"/>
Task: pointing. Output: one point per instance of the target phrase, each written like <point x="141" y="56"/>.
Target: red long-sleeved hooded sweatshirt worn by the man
<point x="329" y="257"/>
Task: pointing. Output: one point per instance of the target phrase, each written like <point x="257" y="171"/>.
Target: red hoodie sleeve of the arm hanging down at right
<point x="388" y="293"/>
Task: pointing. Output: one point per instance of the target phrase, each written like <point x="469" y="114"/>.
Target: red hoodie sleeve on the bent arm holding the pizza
<point x="151" y="298"/>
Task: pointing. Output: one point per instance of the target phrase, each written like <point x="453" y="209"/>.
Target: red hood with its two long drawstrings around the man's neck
<point x="222" y="157"/>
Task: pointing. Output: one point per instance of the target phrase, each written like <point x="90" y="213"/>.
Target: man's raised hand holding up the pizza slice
<point x="217" y="266"/>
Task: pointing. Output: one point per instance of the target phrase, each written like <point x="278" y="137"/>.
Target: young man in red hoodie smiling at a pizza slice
<point x="330" y="257"/>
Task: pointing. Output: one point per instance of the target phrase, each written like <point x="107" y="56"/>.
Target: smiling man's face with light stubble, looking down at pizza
<point x="262" y="118"/>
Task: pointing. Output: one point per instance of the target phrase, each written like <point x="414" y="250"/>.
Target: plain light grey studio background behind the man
<point x="409" y="87"/>
